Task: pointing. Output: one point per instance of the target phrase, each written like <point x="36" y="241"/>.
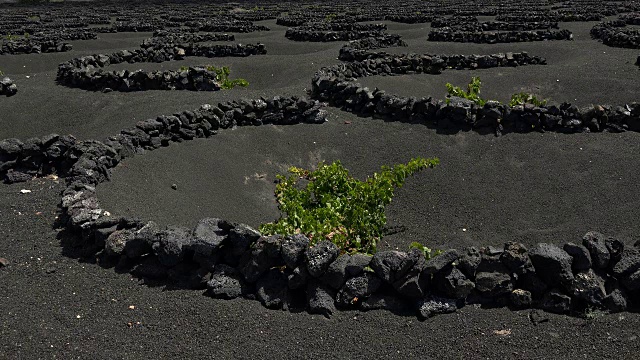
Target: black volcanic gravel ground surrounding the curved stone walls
<point x="547" y="187"/>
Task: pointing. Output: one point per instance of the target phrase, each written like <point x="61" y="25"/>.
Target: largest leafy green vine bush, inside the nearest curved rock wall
<point x="329" y="204"/>
